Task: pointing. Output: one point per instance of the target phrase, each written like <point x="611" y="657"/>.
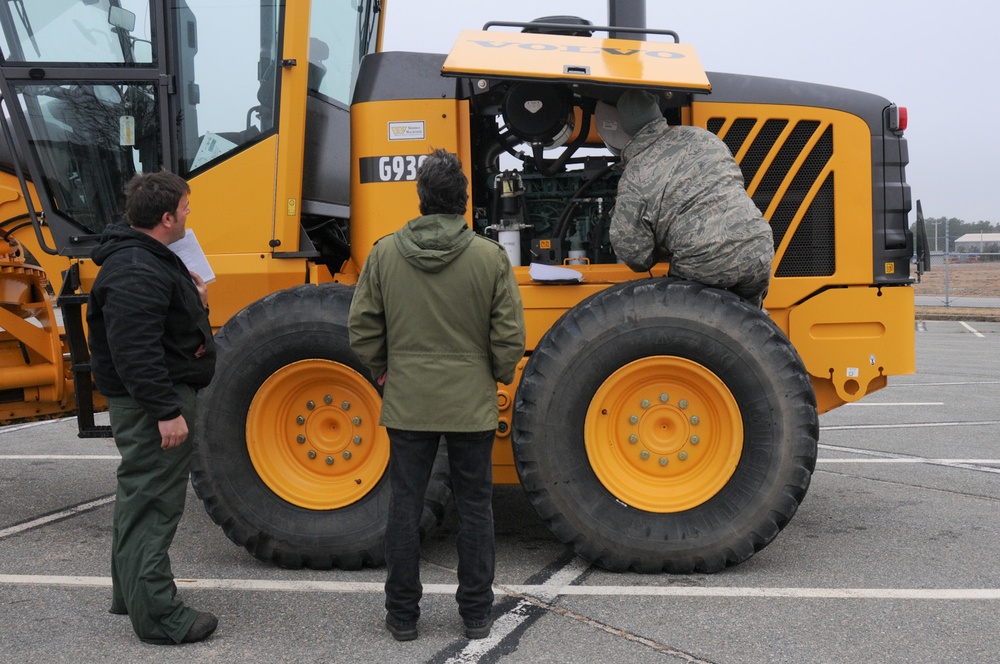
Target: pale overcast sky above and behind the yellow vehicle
<point x="940" y="59"/>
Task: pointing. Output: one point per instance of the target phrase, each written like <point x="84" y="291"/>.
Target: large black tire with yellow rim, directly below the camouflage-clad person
<point x="661" y="425"/>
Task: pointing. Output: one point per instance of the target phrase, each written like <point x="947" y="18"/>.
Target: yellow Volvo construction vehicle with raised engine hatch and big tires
<point x="655" y="424"/>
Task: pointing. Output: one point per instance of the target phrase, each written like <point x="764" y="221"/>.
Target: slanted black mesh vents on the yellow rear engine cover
<point x="811" y="252"/>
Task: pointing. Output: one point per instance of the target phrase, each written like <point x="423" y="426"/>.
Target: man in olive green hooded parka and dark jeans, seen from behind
<point x="437" y="318"/>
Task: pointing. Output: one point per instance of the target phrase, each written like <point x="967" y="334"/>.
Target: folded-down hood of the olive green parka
<point x="432" y="241"/>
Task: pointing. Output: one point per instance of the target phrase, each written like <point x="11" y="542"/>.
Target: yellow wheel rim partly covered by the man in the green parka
<point x="313" y="435"/>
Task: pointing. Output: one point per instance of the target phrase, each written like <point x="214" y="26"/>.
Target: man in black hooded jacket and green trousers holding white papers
<point x="152" y="350"/>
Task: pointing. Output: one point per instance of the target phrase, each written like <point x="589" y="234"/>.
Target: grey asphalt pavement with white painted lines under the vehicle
<point x="889" y="559"/>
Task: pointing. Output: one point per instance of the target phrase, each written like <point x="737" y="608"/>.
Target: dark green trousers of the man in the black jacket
<point x="152" y="487"/>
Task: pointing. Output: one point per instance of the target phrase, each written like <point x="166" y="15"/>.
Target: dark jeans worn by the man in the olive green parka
<point x="411" y="458"/>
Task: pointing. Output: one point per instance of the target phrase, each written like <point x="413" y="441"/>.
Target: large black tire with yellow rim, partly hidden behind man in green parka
<point x="289" y="458"/>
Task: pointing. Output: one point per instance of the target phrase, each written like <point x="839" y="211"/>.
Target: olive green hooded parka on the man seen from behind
<point x="437" y="310"/>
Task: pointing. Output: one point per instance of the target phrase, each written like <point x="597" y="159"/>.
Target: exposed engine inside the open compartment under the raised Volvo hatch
<point x="544" y="184"/>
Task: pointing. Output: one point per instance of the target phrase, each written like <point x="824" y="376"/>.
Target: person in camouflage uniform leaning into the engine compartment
<point x="681" y="199"/>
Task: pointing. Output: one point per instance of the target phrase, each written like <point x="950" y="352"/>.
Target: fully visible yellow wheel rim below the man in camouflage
<point x="664" y="434"/>
